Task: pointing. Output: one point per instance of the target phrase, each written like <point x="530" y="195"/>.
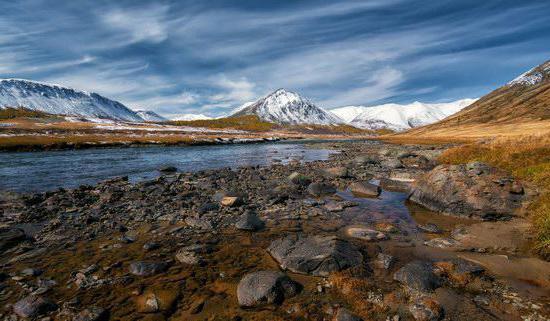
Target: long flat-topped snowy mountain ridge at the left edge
<point x="55" y="99"/>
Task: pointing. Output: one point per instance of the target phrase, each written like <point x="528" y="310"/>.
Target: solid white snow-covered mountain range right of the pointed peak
<point x="399" y="117"/>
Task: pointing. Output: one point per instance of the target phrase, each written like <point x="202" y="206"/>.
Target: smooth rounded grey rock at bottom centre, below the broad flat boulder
<point x="265" y="287"/>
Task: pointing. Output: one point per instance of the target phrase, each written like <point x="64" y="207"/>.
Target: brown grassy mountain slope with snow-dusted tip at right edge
<point x="524" y="99"/>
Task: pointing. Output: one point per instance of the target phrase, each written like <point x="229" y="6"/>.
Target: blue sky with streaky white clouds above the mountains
<point x="210" y="56"/>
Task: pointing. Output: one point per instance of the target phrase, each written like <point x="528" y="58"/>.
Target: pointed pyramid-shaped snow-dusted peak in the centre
<point x="286" y="107"/>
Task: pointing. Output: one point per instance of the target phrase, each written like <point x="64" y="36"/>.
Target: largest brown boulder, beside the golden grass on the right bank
<point x="467" y="190"/>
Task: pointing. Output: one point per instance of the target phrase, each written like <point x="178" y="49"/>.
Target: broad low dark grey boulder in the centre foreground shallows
<point x="315" y="255"/>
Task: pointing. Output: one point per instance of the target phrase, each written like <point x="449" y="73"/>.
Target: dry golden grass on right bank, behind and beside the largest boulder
<point x="526" y="157"/>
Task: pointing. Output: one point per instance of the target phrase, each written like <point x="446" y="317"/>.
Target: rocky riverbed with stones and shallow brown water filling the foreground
<point x="326" y="240"/>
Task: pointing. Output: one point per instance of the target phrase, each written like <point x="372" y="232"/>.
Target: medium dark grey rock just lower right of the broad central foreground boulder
<point x="419" y="276"/>
